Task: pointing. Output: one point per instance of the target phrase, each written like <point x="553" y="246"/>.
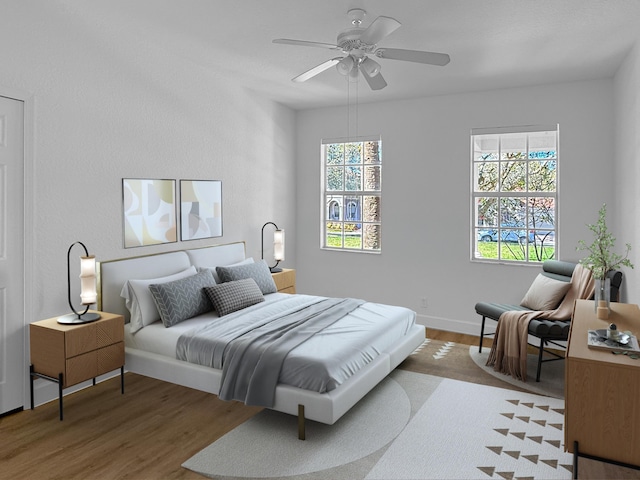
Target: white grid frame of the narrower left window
<point x="354" y="200"/>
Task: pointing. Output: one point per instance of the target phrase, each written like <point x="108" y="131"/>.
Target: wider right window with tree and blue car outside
<point x="514" y="194"/>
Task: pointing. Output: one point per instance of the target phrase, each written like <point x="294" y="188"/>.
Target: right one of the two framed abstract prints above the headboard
<point x="200" y="209"/>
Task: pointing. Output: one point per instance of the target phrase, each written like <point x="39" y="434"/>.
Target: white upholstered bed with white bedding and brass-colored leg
<point x="391" y="333"/>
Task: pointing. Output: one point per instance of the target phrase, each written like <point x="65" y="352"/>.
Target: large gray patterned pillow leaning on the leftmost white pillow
<point x="182" y="299"/>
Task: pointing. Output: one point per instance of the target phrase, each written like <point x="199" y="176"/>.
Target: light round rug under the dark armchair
<point x="551" y="376"/>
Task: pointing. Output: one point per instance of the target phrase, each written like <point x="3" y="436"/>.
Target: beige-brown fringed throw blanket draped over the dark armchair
<point x="509" y="350"/>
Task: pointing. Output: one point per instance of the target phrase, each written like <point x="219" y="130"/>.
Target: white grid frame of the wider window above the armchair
<point x="519" y="230"/>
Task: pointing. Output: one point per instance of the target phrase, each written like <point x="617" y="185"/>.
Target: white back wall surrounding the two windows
<point x="426" y="182"/>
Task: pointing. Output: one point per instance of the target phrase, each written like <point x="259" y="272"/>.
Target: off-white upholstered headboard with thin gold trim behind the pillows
<point x="113" y="274"/>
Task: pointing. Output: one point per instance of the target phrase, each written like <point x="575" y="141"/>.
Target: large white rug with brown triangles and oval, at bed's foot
<point x="412" y="426"/>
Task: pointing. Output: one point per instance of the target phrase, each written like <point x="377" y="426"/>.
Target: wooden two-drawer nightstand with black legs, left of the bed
<point x="71" y="354"/>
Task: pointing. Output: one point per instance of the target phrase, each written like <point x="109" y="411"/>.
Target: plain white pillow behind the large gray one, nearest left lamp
<point x="139" y="300"/>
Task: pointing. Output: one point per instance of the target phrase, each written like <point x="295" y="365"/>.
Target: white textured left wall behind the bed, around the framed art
<point x="111" y="104"/>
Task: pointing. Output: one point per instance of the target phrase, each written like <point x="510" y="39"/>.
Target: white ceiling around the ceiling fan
<point x="492" y="43"/>
